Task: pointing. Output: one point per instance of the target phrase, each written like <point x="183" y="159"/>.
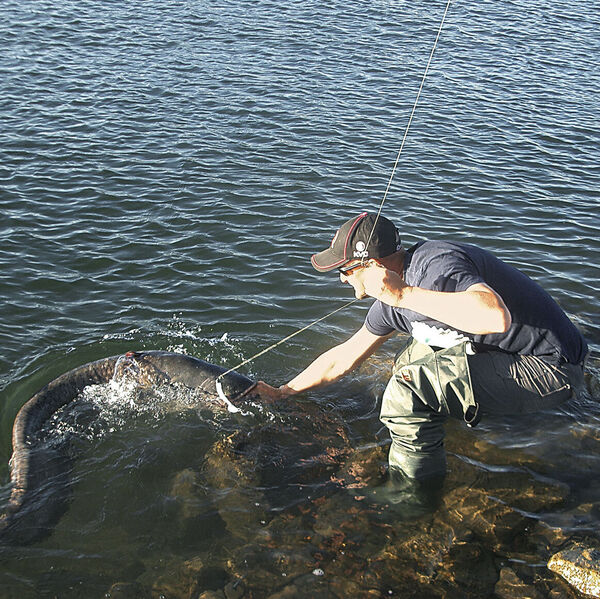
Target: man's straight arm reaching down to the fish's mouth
<point x="329" y="366"/>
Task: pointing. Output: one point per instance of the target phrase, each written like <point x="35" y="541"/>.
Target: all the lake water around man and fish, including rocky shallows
<point x="166" y="171"/>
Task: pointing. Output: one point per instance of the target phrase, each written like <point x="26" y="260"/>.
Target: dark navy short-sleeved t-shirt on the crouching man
<point x="539" y="326"/>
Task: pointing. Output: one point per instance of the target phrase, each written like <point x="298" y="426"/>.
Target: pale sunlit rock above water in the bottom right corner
<point x="579" y="565"/>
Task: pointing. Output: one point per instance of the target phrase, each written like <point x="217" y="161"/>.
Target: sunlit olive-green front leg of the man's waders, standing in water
<point x="426" y="387"/>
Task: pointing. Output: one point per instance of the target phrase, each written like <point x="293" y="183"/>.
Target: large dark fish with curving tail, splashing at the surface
<point x="40" y="474"/>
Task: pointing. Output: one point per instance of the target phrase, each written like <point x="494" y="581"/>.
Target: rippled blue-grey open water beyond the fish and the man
<point x="186" y="159"/>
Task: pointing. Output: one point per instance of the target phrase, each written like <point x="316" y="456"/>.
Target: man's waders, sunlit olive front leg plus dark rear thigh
<point x="428" y="385"/>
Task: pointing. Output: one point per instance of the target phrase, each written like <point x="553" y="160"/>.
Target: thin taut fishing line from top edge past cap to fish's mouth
<point x="308" y="326"/>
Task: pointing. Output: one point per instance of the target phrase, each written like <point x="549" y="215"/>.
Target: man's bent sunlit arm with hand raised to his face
<point x="478" y="310"/>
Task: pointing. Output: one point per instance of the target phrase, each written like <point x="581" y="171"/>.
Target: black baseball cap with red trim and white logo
<point x="363" y="237"/>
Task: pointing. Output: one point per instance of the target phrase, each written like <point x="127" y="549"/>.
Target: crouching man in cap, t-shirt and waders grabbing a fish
<point x="485" y="339"/>
